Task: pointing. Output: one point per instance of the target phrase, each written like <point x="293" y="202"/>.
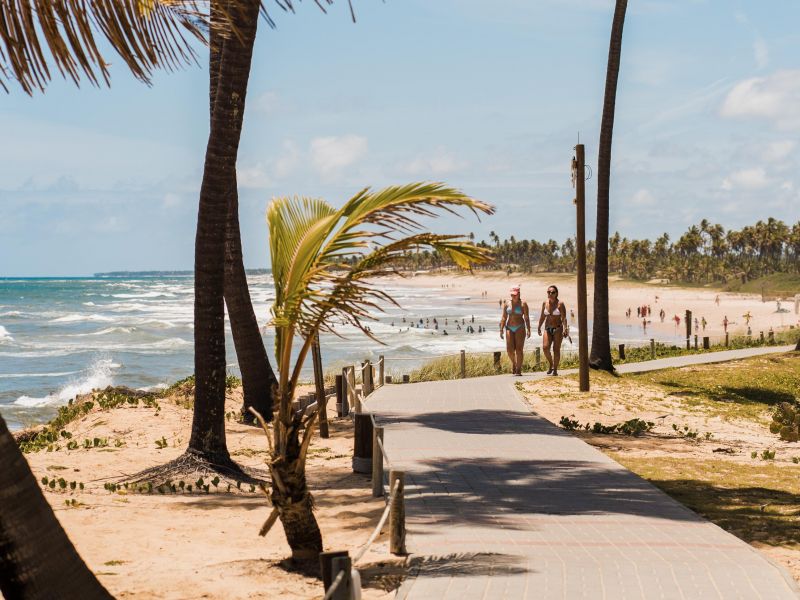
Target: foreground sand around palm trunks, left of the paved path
<point x="202" y="545"/>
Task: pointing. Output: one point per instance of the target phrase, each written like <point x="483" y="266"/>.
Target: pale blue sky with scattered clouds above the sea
<point x="488" y="97"/>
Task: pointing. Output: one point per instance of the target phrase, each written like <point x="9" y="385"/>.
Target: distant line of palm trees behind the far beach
<point x="705" y="253"/>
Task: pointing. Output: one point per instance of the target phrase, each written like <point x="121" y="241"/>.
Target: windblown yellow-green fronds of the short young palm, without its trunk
<point x="309" y="242"/>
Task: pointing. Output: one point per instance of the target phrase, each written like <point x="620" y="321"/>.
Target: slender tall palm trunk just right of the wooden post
<point x="600" y="356"/>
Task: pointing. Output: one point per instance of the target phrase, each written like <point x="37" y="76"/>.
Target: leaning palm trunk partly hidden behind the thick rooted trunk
<point x="257" y="374"/>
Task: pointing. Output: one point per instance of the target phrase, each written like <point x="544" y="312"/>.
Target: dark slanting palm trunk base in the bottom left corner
<point x="37" y="560"/>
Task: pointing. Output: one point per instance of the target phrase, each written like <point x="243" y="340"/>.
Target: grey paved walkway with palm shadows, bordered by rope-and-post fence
<point x="502" y="504"/>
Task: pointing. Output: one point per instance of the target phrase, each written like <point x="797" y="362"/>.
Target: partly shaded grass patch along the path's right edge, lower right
<point x="757" y="503"/>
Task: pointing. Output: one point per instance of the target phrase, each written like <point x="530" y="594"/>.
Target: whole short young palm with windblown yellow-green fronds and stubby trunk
<point x="324" y="263"/>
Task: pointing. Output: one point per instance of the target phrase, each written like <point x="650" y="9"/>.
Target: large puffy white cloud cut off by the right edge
<point x="775" y="98"/>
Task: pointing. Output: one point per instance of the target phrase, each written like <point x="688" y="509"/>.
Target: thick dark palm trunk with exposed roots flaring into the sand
<point x="208" y="424"/>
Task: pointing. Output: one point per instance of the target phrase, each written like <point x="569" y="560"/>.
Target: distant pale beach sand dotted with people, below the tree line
<point x="622" y="295"/>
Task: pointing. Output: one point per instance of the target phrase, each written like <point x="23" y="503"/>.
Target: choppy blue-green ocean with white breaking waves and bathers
<point x="65" y="336"/>
